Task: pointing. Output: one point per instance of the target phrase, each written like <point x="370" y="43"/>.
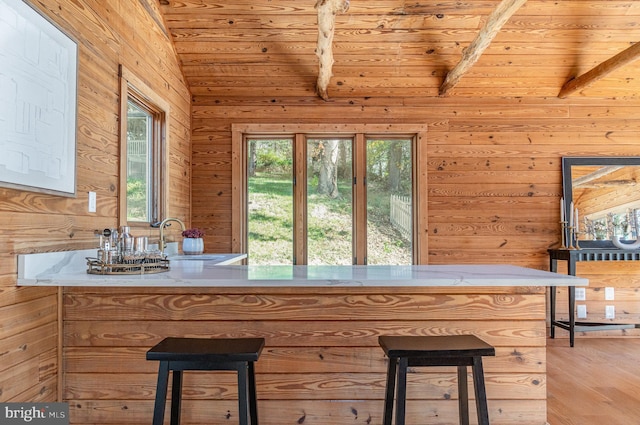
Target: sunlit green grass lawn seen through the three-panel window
<point x="329" y="227"/>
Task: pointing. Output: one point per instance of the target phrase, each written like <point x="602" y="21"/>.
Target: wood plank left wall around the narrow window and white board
<point x="109" y="33"/>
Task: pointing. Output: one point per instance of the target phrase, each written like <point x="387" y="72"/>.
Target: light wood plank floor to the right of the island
<point x="596" y="382"/>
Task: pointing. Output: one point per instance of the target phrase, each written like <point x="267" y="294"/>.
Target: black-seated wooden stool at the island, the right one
<point x="416" y="351"/>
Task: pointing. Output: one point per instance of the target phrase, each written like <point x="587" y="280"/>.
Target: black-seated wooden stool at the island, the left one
<point x="180" y="354"/>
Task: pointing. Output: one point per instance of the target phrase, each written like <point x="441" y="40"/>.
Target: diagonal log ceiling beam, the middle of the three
<point x="472" y="53"/>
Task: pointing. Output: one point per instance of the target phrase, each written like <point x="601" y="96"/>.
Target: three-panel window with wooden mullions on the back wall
<point x="330" y="200"/>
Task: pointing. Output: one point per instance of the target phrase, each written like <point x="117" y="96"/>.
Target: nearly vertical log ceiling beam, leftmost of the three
<point x="327" y="11"/>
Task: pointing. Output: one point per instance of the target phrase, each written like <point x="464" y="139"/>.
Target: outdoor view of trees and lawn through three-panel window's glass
<point x="330" y="223"/>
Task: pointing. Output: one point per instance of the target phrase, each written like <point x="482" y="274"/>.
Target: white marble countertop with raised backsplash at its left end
<point x="69" y="269"/>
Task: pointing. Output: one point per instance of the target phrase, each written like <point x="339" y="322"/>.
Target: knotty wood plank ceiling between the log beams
<point x="397" y="48"/>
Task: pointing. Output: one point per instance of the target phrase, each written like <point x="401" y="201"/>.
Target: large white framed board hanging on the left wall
<point x="38" y="97"/>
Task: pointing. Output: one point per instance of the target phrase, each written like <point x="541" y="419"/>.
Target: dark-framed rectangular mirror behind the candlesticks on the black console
<point x="605" y="192"/>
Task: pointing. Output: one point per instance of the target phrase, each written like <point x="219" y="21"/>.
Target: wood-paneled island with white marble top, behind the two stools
<point x="322" y="364"/>
